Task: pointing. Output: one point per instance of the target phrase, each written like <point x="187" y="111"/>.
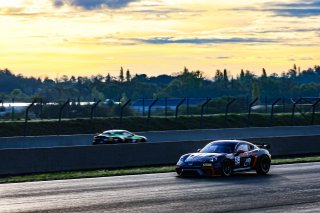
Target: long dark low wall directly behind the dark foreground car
<point x="22" y="161"/>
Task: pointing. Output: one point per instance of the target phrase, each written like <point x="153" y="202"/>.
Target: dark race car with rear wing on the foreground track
<point x="224" y="157"/>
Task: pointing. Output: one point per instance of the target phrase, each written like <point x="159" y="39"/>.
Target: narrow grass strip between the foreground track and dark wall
<point x="128" y="171"/>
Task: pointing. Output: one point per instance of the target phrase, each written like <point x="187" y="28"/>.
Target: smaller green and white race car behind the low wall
<point x="117" y="136"/>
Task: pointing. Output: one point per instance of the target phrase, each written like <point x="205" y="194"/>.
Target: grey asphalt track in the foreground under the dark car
<point x="288" y="188"/>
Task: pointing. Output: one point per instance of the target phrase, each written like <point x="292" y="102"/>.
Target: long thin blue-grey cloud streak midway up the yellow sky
<point x="171" y="40"/>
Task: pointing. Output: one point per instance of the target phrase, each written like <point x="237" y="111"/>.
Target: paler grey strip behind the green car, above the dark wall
<point x="164" y="136"/>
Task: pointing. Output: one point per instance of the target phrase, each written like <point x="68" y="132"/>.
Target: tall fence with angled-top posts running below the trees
<point x="147" y="108"/>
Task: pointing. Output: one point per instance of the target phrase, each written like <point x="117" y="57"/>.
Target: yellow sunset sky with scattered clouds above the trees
<point x="51" y="38"/>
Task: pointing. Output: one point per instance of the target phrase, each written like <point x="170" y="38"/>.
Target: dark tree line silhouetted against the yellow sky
<point x="186" y="83"/>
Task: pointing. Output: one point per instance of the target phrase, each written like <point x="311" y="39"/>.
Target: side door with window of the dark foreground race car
<point x="242" y="156"/>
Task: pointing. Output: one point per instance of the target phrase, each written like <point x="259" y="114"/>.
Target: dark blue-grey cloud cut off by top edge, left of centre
<point x="93" y="4"/>
